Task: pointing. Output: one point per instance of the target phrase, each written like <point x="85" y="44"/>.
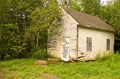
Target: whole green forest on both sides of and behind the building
<point x="24" y="24"/>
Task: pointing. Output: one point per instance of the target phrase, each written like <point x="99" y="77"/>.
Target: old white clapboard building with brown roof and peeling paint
<point x="80" y="36"/>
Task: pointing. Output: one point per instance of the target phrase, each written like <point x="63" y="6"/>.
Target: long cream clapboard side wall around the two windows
<point x="99" y="41"/>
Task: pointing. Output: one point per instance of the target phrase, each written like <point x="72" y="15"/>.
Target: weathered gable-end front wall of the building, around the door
<point x="68" y="31"/>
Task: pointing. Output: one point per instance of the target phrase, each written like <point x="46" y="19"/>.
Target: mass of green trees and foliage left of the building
<point x="24" y="25"/>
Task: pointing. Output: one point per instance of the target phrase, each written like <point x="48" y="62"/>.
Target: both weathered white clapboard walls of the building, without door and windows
<point x="77" y="46"/>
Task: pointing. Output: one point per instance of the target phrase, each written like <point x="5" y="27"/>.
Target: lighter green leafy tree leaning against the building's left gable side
<point x="41" y="19"/>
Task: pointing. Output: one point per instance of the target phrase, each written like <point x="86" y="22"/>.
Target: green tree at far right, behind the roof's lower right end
<point x="111" y="14"/>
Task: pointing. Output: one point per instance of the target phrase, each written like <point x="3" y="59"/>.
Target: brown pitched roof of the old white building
<point x="89" y="21"/>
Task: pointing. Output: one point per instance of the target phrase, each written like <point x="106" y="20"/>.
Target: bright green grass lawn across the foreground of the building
<point x="108" y="68"/>
